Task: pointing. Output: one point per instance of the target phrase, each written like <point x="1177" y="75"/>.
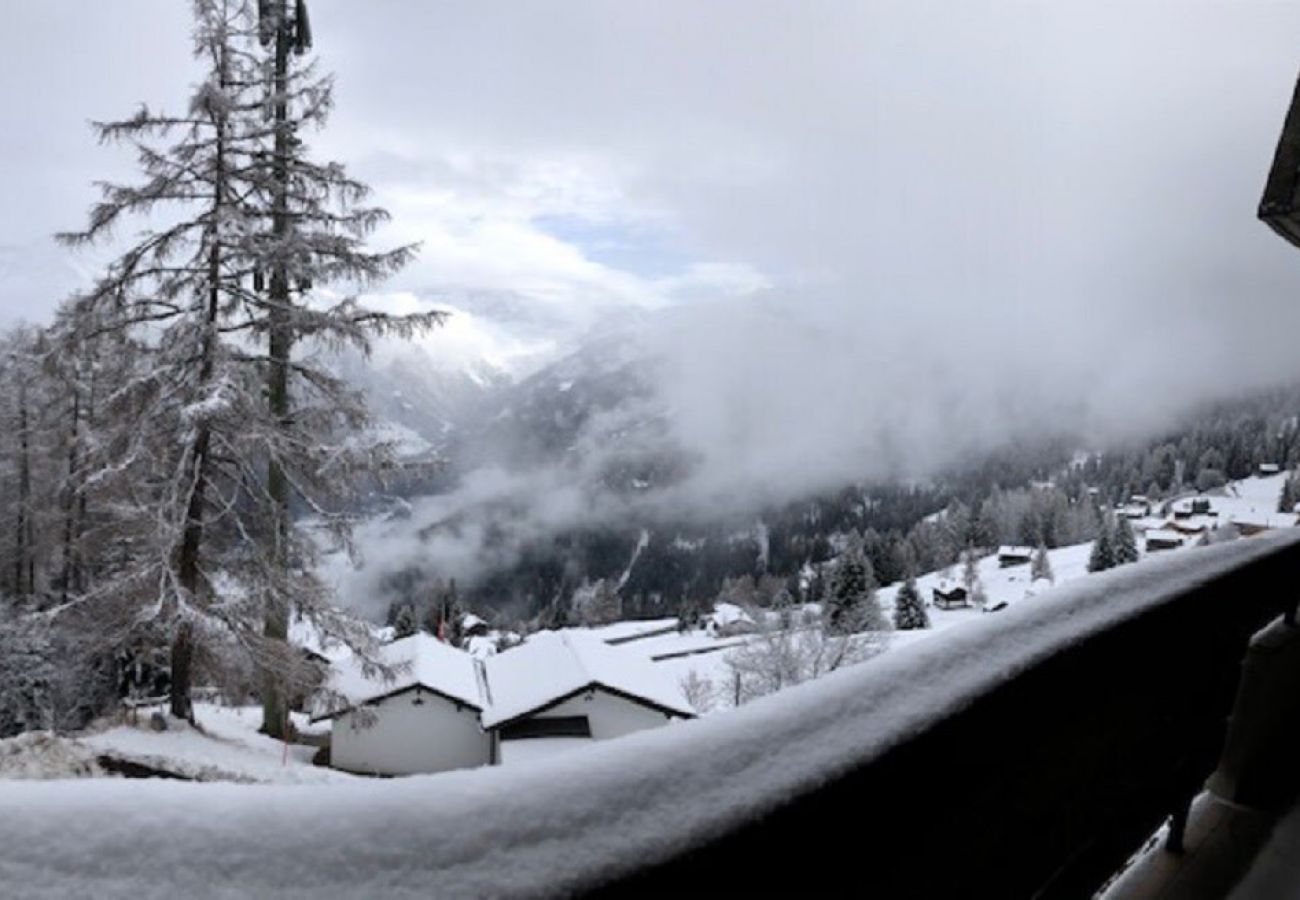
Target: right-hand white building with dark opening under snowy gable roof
<point x="566" y="689"/>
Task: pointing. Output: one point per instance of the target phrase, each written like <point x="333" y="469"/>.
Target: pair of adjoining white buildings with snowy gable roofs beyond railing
<point x="447" y="709"/>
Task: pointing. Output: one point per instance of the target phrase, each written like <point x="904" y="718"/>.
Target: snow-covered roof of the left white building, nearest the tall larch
<point x="426" y="663"/>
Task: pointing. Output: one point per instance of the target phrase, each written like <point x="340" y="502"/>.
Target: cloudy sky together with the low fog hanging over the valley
<point x="699" y="274"/>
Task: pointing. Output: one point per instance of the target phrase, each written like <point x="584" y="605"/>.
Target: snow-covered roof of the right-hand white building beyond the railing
<point x="551" y="667"/>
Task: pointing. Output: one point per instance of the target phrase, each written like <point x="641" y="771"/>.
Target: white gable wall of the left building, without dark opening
<point x="410" y="738"/>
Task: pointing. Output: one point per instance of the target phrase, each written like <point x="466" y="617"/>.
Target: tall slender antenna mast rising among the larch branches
<point x="289" y="33"/>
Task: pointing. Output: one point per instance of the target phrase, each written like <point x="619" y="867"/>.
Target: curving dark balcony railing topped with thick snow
<point x="1026" y="755"/>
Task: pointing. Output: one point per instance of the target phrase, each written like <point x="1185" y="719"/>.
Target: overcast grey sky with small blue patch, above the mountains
<point x="1024" y="209"/>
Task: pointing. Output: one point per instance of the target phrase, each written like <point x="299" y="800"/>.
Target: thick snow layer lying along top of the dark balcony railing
<point x="560" y="824"/>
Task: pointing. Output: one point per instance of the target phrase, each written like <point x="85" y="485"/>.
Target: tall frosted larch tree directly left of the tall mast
<point x="218" y="555"/>
